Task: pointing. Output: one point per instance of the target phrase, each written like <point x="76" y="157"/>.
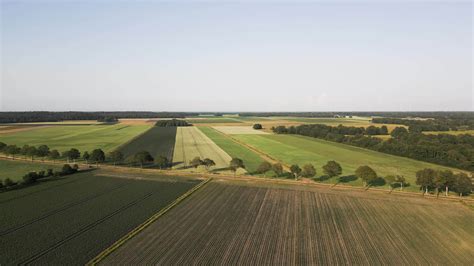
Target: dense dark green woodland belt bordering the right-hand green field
<point x="445" y="149"/>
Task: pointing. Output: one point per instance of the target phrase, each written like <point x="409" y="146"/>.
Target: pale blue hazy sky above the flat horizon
<point x="266" y="56"/>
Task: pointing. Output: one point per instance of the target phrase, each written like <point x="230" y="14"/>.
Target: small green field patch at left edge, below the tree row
<point x="15" y="170"/>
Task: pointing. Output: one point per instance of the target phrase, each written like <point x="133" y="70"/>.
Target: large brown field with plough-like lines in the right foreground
<point x="229" y="224"/>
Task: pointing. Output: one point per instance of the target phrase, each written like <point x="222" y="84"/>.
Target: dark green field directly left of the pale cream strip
<point x="157" y="141"/>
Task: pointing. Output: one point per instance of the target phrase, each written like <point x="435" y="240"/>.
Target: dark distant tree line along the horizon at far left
<point x="25" y="117"/>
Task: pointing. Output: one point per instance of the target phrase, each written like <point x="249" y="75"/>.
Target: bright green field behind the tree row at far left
<point x="84" y="138"/>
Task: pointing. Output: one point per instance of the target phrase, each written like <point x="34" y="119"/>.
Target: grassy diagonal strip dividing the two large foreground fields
<point x="145" y="224"/>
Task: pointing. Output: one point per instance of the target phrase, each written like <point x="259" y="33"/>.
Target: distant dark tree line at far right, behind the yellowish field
<point x="438" y="124"/>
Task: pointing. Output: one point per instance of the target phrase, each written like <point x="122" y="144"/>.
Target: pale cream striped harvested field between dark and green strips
<point x="191" y="142"/>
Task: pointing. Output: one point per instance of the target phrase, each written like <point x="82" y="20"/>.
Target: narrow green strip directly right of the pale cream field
<point x="250" y="158"/>
